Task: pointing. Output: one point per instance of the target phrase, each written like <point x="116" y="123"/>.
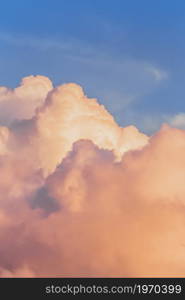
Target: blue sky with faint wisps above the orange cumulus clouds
<point x="130" y="54"/>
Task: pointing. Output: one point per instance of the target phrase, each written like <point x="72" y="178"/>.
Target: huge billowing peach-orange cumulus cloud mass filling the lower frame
<point x="81" y="196"/>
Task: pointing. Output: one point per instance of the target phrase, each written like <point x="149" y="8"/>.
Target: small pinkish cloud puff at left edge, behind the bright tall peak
<point x="21" y="102"/>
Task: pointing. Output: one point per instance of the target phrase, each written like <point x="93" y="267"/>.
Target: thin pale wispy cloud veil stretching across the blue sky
<point x="118" y="80"/>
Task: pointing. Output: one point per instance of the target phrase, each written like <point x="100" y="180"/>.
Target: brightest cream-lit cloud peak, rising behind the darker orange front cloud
<point x="67" y="116"/>
